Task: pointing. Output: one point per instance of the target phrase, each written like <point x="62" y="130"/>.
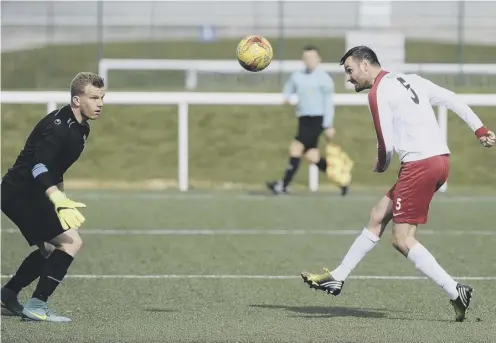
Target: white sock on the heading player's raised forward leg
<point x="362" y="245"/>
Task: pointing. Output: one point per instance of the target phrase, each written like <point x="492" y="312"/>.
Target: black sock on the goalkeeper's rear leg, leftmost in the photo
<point x="29" y="270"/>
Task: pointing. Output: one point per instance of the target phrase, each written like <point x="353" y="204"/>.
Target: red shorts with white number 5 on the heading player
<point x="416" y="185"/>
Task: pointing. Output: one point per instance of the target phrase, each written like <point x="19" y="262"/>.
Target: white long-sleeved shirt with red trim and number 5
<point x="405" y="122"/>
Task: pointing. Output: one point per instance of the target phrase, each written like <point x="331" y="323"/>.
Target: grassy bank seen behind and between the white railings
<point x="229" y="146"/>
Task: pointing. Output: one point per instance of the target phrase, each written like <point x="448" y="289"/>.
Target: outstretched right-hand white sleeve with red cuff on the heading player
<point x="442" y="96"/>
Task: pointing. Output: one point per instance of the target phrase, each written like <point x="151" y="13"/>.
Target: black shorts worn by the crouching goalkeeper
<point x="32" y="212"/>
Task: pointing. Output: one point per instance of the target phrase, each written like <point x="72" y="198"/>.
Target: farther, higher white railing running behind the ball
<point x="192" y="67"/>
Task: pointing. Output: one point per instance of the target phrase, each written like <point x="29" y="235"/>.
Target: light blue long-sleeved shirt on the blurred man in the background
<point x="315" y="92"/>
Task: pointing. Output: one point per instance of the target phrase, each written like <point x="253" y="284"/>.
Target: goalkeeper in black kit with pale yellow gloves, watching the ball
<point x="33" y="198"/>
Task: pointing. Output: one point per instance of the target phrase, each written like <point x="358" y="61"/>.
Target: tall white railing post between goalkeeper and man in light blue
<point x="183" y="146"/>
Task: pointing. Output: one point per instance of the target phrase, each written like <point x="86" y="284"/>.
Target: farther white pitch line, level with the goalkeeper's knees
<point x="259" y="232"/>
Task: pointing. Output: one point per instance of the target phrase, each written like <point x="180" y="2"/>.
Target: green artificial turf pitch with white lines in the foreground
<point x="224" y="267"/>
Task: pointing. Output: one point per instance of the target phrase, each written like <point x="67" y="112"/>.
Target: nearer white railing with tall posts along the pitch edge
<point x="183" y="99"/>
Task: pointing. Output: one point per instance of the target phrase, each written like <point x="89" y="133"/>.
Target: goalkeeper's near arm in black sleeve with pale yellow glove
<point x="53" y="139"/>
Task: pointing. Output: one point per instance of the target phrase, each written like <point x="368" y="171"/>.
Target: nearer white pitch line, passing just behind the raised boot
<point x="259" y="277"/>
